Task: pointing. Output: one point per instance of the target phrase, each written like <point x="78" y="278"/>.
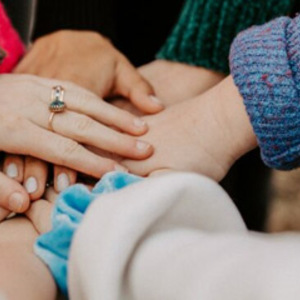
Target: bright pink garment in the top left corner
<point x="10" y="43"/>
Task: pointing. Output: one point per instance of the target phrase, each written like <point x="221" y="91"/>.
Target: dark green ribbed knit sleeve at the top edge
<point x="206" y="29"/>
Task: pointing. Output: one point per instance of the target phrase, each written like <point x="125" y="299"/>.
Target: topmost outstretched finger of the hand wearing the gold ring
<point x="82" y="101"/>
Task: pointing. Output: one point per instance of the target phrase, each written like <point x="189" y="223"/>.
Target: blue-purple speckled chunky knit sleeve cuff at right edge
<point x="265" y="65"/>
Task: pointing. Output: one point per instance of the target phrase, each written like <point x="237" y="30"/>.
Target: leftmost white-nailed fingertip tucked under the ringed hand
<point x="13" y="167"/>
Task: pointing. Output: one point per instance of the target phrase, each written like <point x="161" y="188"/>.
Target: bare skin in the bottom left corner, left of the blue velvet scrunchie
<point x="23" y="275"/>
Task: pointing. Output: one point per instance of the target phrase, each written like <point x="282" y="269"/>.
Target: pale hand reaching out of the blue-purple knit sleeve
<point x="206" y="134"/>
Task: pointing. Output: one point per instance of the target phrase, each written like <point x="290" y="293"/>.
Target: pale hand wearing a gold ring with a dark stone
<point x="25" y="114"/>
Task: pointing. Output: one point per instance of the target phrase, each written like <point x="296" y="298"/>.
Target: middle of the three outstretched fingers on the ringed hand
<point x="87" y="131"/>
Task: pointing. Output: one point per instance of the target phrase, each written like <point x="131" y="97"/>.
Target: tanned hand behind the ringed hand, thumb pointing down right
<point x="90" y="60"/>
